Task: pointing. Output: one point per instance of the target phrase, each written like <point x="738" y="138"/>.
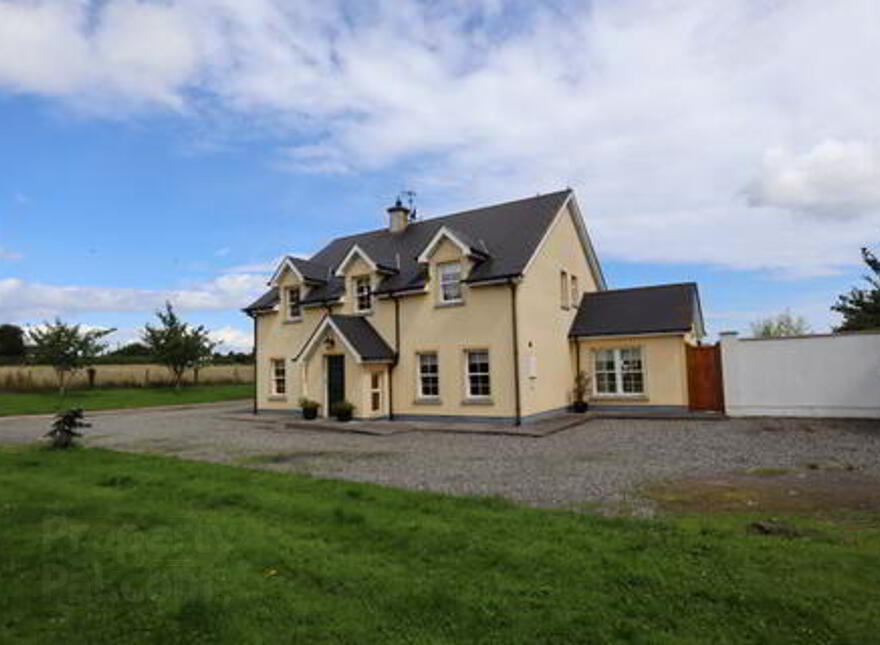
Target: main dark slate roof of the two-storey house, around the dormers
<point x="510" y="232"/>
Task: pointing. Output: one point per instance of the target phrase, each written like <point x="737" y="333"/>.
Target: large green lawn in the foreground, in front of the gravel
<point x="103" y="547"/>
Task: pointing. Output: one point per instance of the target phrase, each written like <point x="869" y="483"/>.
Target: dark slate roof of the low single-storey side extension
<point x="640" y="310"/>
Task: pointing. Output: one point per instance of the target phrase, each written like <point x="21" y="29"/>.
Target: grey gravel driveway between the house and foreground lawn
<point x="599" y="463"/>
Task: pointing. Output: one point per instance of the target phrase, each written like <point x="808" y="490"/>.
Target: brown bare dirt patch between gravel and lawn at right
<point x="816" y="492"/>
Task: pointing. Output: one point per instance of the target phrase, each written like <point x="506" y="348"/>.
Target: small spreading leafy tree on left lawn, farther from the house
<point x="67" y="348"/>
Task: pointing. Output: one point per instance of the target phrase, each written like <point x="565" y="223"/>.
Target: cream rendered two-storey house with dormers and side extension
<point x="486" y="314"/>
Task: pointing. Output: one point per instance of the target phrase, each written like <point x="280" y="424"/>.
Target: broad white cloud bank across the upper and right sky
<point x="694" y="132"/>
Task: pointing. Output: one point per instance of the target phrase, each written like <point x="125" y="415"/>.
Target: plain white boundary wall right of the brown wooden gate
<point x="834" y="375"/>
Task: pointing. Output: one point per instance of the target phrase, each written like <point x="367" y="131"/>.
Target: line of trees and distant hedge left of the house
<point x="69" y="348"/>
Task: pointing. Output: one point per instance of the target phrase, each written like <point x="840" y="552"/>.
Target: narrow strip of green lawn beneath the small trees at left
<point x="113" y="398"/>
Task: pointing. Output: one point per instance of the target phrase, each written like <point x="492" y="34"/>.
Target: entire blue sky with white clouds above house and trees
<point x="175" y="150"/>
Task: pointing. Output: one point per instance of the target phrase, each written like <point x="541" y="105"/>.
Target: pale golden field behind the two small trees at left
<point x="23" y="379"/>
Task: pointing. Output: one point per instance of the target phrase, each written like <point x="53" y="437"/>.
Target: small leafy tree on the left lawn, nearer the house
<point x="176" y="344"/>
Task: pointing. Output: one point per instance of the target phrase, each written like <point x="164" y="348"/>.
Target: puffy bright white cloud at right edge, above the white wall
<point x="835" y="178"/>
